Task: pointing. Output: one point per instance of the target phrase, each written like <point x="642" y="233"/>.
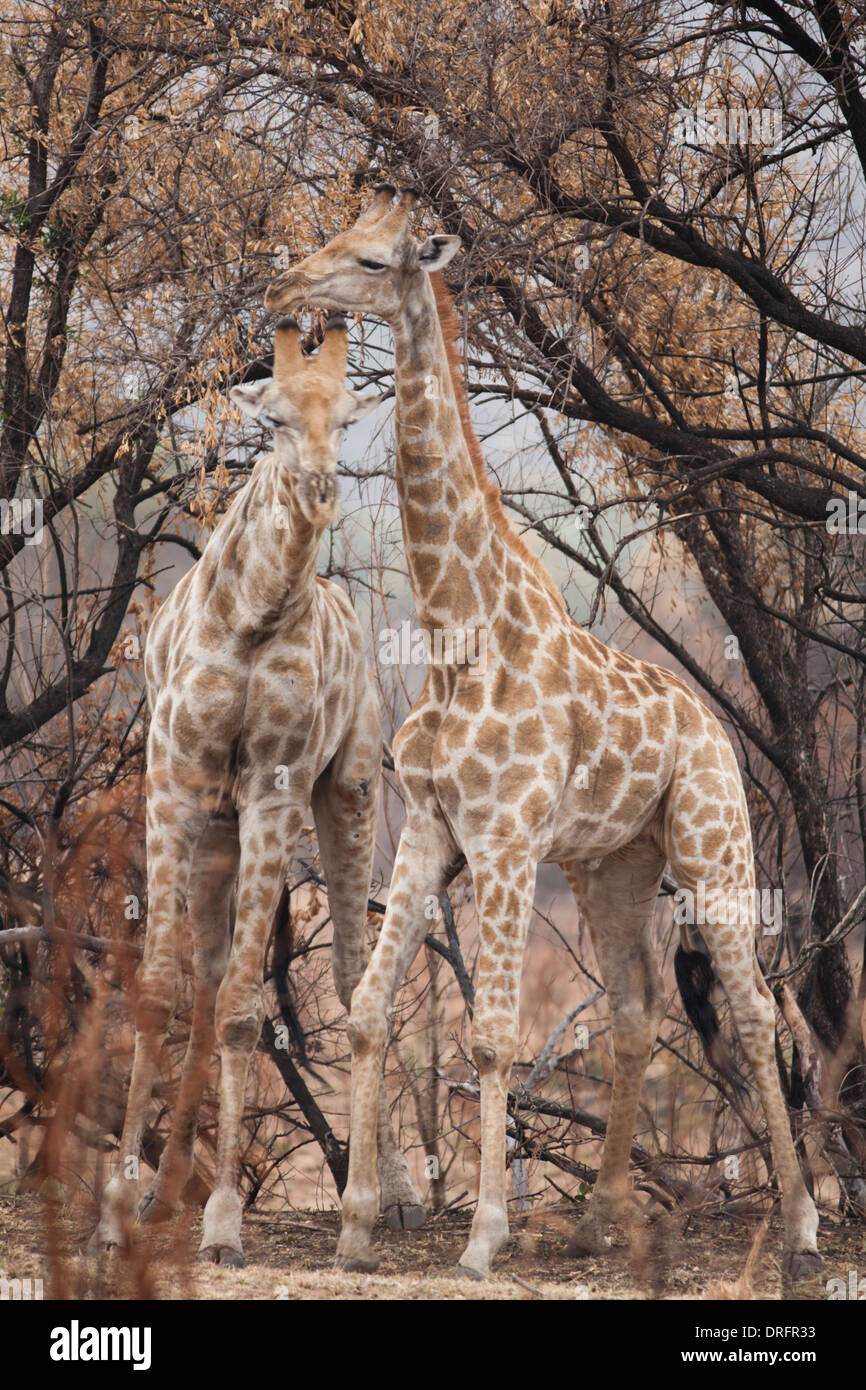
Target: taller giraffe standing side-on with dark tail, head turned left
<point x="558" y="750"/>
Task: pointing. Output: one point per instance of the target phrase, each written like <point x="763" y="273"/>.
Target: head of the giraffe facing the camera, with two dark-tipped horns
<point x="308" y="408"/>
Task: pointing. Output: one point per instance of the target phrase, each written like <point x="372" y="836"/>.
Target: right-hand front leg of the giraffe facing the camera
<point x="269" y="835"/>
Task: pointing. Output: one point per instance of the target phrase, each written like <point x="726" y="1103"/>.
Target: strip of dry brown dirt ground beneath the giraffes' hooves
<point x="293" y="1257"/>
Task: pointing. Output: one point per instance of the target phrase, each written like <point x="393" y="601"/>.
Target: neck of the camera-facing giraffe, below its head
<point x="263" y="568"/>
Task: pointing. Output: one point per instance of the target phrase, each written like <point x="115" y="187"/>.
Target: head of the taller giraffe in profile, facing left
<point x="369" y="270"/>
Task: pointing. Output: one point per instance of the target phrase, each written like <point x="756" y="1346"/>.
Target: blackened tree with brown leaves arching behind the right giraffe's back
<point x="660" y="209"/>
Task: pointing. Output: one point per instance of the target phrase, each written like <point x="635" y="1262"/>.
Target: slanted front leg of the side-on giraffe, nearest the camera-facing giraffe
<point x="420" y="871"/>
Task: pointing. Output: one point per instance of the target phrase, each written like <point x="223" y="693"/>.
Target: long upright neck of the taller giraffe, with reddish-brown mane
<point x="455" y="557"/>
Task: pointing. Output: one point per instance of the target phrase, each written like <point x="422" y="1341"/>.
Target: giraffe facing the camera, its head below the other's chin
<point x="261" y="704"/>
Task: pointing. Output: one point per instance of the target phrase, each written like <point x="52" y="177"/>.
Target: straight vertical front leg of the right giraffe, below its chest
<point x="505" y="886"/>
